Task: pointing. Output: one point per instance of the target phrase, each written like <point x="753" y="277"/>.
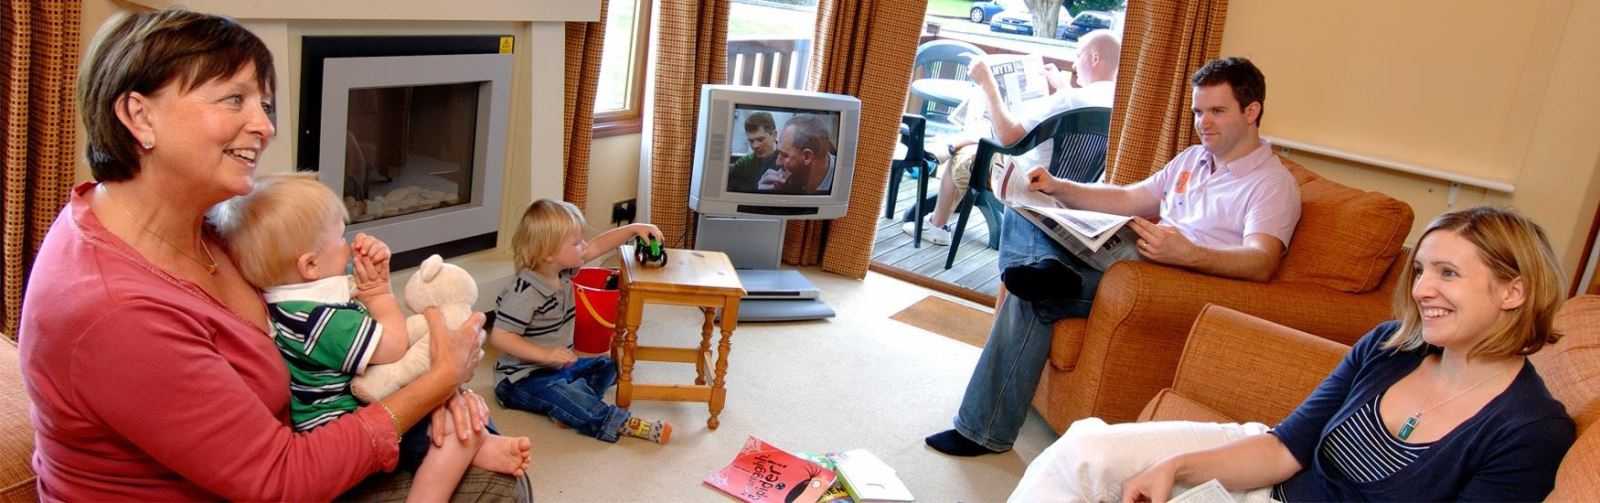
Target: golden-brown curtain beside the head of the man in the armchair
<point x="1162" y="44"/>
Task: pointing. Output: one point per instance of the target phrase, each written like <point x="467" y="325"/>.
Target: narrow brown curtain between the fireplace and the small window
<point x="585" y="44"/>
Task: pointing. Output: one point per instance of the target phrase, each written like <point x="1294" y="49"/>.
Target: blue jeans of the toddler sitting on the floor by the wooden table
<point x="574" y="396"/>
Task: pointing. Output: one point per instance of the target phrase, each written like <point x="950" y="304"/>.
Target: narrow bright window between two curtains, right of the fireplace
<point x="622" y="86"/>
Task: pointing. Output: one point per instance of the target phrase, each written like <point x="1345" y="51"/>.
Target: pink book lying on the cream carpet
<point x="766" y="473"/>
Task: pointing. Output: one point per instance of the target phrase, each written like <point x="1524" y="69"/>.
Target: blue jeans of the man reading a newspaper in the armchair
<point x="1002" y="387"/>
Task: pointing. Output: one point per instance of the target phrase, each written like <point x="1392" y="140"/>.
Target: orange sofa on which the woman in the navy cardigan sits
<point x="1286" y="366"/>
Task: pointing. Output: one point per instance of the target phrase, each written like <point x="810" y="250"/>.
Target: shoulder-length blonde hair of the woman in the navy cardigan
<point x="1514" y="247"/>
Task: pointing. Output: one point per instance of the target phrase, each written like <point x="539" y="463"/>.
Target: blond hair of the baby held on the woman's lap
<point x="282" y="219"/>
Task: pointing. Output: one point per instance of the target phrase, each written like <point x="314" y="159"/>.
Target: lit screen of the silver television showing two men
<point x="783" y="151"/>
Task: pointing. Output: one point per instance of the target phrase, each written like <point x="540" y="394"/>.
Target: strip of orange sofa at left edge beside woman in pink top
<point x="17" y="433"/>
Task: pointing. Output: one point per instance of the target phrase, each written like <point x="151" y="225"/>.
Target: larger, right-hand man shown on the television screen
<point x="806" y="159"/>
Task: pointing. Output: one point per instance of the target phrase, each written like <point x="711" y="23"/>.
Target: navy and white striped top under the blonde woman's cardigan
<point x="1364" y="451"/>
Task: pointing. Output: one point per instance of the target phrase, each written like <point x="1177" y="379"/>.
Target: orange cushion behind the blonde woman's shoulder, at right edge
<point x="1572" y="366"/>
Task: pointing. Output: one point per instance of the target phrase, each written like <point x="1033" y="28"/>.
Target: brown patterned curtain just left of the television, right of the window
<point x="692" y="50"/>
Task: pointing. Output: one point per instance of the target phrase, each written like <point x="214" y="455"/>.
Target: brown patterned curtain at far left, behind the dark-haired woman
<point x="39" y="62"/>
